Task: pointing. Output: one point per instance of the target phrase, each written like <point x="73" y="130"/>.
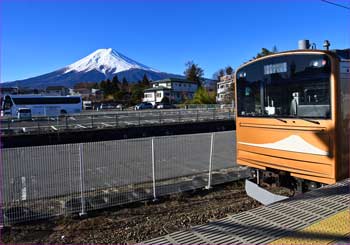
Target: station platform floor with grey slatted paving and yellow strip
<point x="269" y="223"/>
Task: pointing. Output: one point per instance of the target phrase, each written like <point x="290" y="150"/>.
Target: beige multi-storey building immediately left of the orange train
<point x="225" y="90"/>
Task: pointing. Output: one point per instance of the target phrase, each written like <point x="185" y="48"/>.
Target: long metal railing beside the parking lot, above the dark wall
<point x="118" y="119"/>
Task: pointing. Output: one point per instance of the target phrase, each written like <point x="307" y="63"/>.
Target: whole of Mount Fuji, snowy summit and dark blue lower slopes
<point x="97" y="66"/>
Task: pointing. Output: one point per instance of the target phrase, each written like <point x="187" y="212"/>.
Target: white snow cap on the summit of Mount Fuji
<point x="106" y="61"/>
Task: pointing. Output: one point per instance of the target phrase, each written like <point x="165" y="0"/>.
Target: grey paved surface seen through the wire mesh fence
<point x="48" y="171"/>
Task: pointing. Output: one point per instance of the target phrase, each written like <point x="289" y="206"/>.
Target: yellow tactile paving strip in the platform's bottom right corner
<point x="325" y="231"/>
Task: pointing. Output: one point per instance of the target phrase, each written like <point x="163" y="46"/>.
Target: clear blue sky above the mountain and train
<point x="41" y="36"/>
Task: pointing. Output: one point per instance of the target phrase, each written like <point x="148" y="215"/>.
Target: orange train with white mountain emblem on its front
<point x="293" y="115"/>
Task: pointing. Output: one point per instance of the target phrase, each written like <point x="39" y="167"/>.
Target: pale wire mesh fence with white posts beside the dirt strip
<point x="45" y="181"/>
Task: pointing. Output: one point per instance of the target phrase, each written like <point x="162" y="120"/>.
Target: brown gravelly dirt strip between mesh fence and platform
<point x="136" y="222"/>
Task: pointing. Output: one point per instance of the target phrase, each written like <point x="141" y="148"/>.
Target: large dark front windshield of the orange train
<point x="285" y="86"/>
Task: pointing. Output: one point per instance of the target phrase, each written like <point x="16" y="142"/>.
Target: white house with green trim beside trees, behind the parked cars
<point x="176" y="90"/>
